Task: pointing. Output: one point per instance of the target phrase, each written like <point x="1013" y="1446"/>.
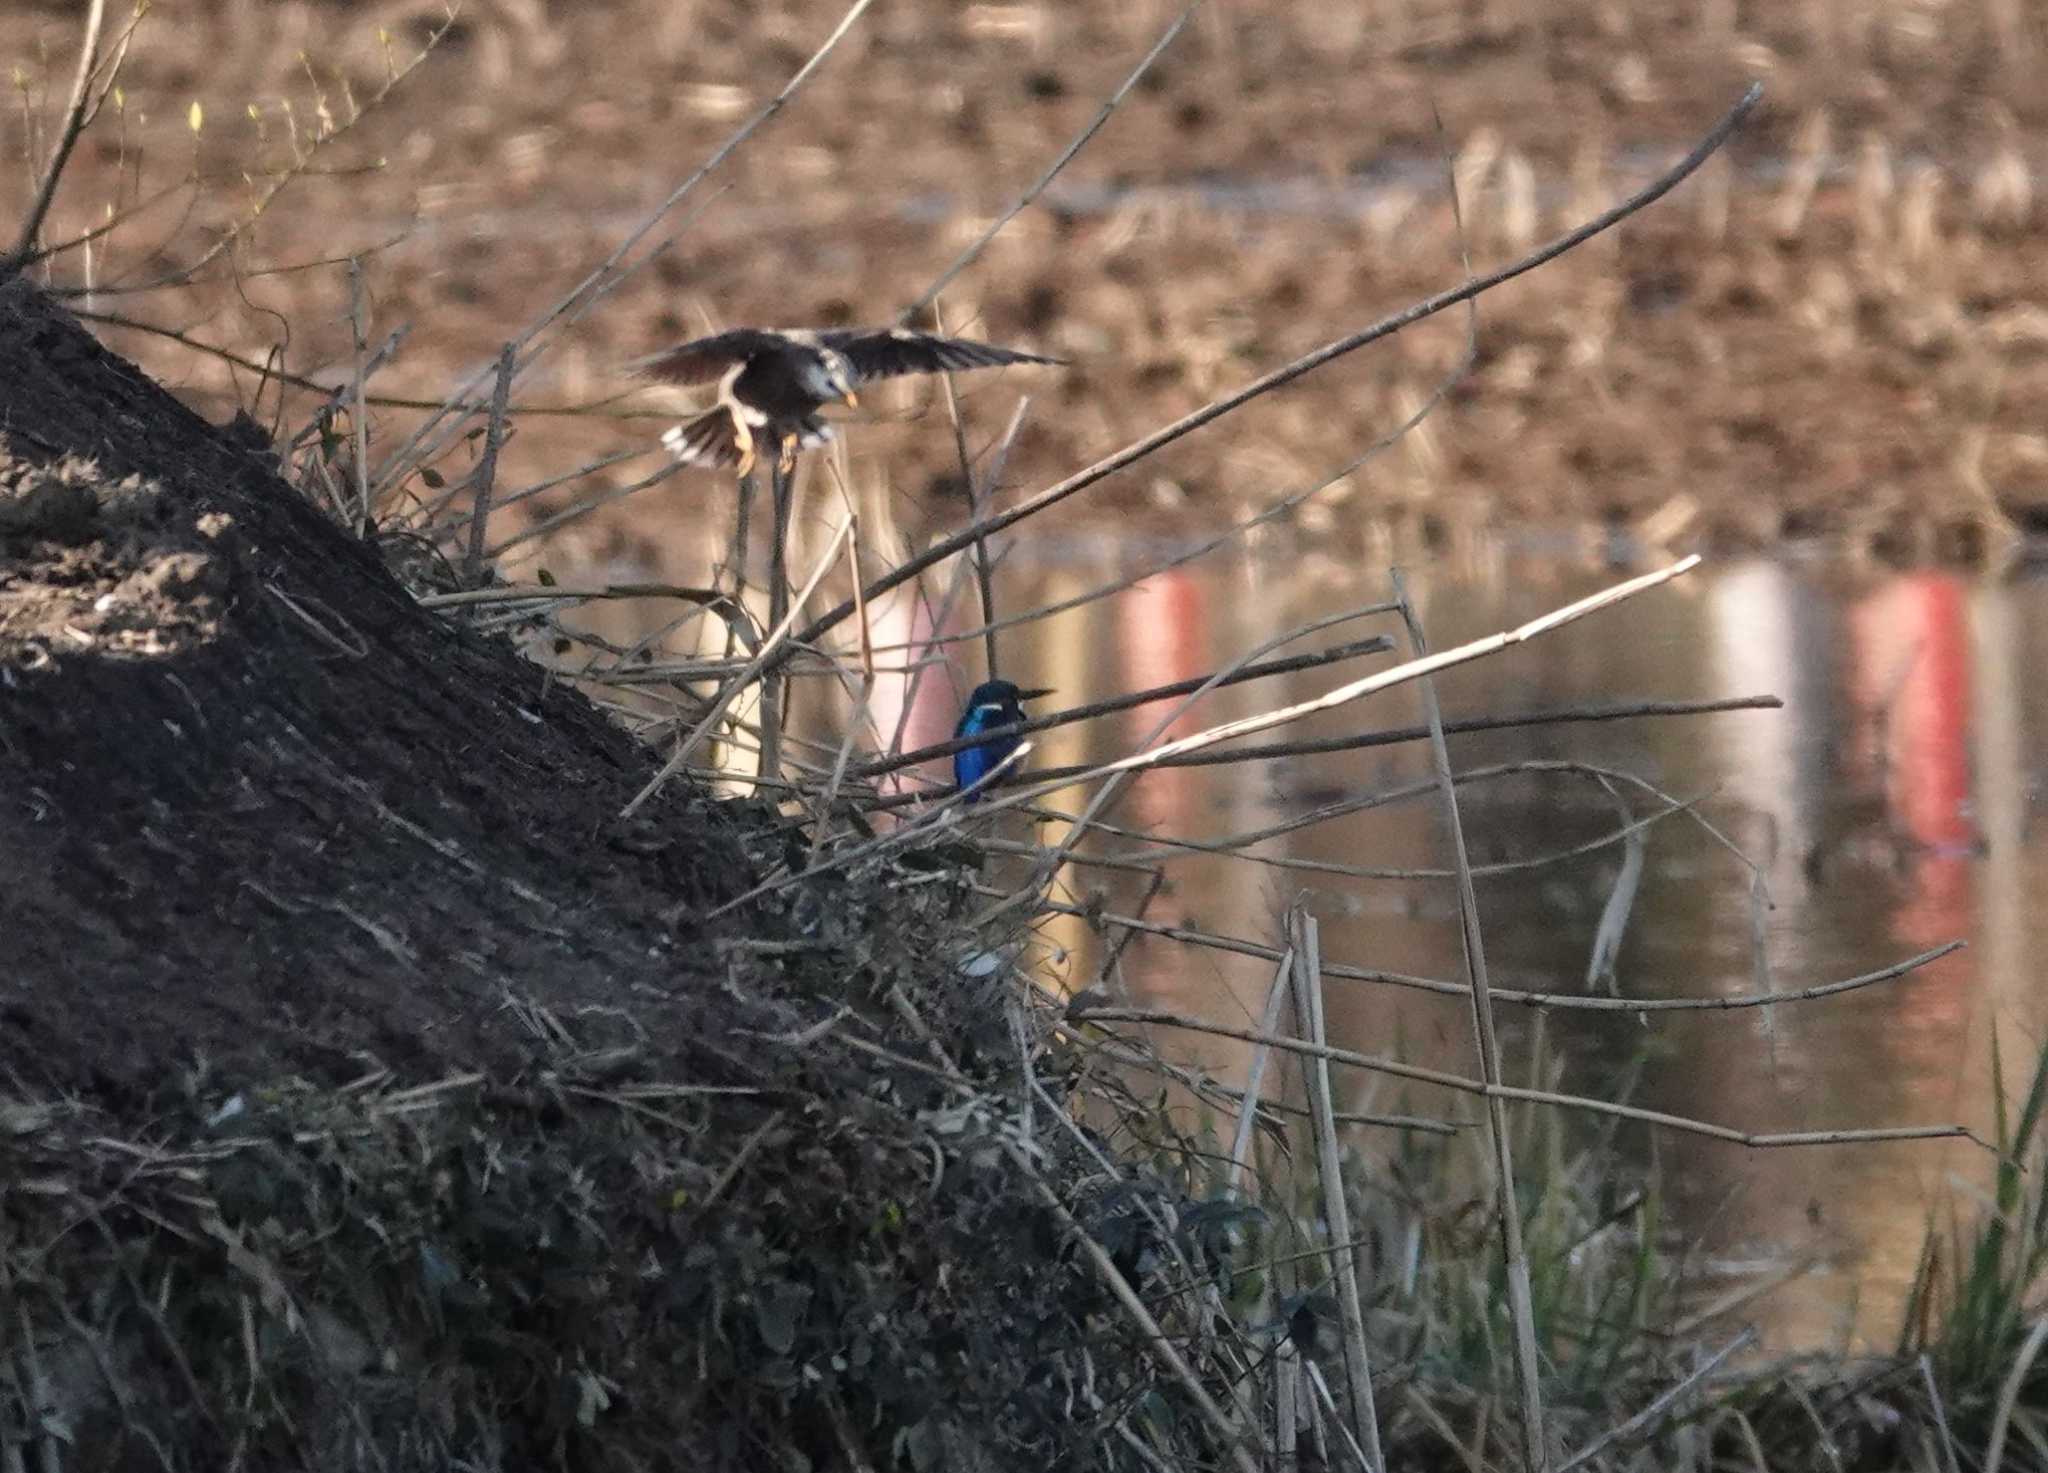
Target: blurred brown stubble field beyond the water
<point x="1834" y="333"/>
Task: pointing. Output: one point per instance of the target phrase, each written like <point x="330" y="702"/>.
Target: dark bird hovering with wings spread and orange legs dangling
<point x="775" y="382"/>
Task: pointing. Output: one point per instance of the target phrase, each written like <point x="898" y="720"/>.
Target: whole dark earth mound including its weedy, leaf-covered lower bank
<point x="357" y="1109"/>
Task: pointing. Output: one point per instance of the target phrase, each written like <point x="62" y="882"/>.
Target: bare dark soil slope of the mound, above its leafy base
<point x="257" y="804"/>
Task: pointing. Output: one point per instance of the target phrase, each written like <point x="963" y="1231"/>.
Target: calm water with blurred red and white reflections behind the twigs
<point x="1887" y="808"/>
